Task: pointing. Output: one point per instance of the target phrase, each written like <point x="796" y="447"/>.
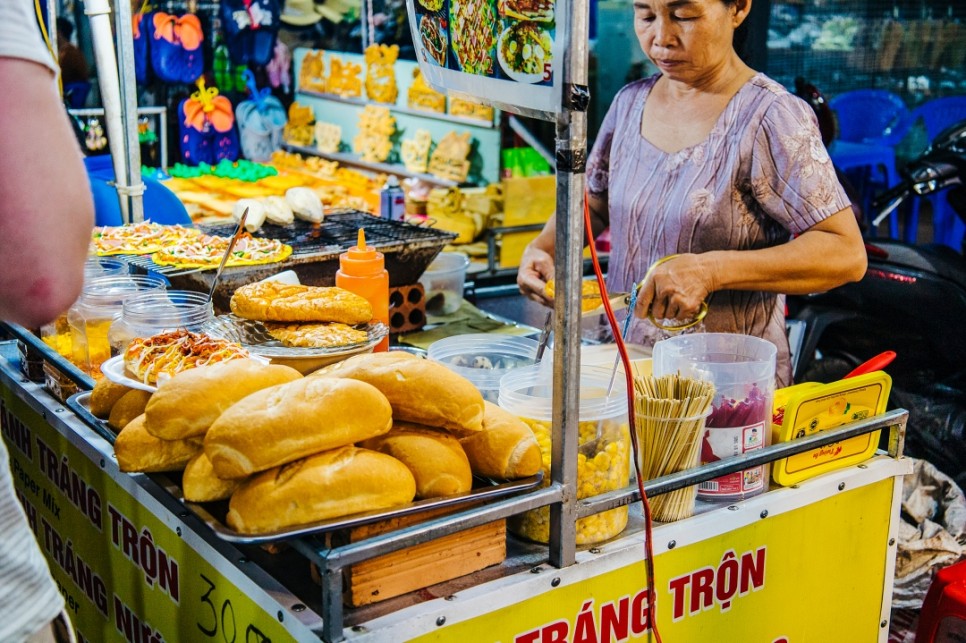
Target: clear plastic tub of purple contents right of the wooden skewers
<point x="742" y="369"/>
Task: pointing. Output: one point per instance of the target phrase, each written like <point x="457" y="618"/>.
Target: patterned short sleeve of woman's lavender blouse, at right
<point x="792" y="176"/>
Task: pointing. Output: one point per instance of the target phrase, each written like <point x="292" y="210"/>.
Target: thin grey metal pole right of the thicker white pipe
<point x="129" y="113"/>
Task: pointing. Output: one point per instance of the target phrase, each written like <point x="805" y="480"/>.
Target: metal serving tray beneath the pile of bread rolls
<point x="213" y="513"/>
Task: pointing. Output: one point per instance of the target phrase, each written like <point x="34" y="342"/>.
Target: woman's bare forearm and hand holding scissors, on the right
<point x="826" y="255"/>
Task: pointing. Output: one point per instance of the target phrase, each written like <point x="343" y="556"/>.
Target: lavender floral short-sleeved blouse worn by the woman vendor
<point x="761" y="175"/>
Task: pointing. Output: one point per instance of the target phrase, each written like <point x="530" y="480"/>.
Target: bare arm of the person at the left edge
<point x="47" y="213"/>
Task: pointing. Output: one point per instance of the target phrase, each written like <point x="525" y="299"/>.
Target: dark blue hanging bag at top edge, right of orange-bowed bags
<point x="251" y="28"/>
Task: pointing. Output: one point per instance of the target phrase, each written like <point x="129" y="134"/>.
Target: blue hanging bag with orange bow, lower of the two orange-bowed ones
<point x="207" y="127"/>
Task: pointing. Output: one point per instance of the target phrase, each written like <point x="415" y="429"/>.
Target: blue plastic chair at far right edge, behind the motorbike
<point x="948" y="229"/>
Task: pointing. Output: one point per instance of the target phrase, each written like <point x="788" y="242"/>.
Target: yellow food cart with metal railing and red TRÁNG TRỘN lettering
<point x="813" y="561"/>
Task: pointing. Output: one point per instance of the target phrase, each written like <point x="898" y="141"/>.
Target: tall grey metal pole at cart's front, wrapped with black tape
<point x="571" y="154"/>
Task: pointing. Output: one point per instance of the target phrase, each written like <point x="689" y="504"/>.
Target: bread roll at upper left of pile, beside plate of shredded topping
<point x="187" y="404"/>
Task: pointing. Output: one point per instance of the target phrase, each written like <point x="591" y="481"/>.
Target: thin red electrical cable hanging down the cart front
<point x="629" y="380"/>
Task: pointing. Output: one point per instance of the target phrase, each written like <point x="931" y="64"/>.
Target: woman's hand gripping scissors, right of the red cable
<point x="675" y="289"/>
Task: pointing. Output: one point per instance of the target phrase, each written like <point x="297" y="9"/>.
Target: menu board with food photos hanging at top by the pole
<point x="508" y="53"/>
